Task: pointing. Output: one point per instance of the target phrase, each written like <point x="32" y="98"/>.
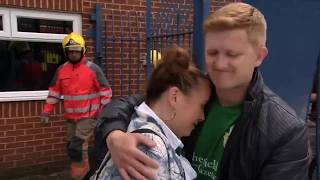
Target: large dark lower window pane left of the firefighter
<point x="28" y="66"/>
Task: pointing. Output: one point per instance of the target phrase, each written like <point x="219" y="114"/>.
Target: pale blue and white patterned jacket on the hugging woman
<point x="172" y="164"/>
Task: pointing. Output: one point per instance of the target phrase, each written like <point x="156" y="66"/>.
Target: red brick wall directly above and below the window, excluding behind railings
<point x="26" y="146"/>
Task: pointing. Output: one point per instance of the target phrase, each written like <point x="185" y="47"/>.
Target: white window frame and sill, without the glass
<point x="10" y="32"/>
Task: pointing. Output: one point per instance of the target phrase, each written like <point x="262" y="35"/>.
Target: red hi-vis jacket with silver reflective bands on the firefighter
<point x="84" y="87"/>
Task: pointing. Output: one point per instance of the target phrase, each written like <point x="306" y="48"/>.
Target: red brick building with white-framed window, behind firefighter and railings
<point x="31" y="32"/>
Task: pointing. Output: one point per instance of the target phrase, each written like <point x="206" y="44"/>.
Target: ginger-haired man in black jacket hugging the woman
<point x="250" y="133"/>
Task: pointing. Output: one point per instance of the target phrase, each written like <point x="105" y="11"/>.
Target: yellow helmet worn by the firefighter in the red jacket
<point x="74" y="42"/>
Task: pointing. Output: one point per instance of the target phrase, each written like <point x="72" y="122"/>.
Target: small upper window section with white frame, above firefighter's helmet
<point x="49" y="26"/>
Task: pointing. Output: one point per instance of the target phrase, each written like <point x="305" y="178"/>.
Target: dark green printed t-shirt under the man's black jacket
<point x="213" y="138"/>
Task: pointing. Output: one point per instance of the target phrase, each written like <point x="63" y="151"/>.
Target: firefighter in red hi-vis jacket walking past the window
<point x="85" y="90"/>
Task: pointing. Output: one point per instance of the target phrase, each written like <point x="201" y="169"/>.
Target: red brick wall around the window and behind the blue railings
<point x="25" y="145"/>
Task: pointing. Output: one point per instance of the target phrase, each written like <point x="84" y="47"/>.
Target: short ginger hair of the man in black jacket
<point x="239" y="16"/>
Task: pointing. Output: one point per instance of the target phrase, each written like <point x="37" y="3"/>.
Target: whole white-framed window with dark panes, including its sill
<point x="30" y="51"/>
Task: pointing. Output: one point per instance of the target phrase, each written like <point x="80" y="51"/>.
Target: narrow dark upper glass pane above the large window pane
<point x="44" y="26"/>
